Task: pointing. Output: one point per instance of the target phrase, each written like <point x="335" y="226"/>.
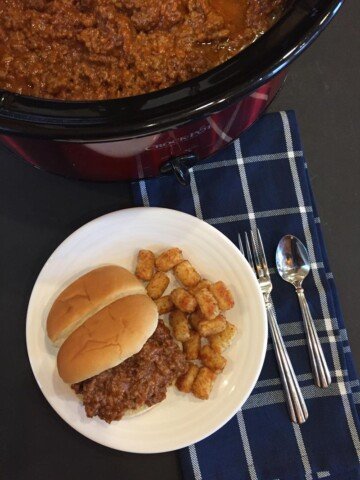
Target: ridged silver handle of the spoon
<point x="317" y="357"/>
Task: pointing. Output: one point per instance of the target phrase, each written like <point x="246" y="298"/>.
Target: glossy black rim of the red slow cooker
<point x="165" y="109"/>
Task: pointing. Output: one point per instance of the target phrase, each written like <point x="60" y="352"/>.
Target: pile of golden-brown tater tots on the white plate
<point x="196" y="315"/>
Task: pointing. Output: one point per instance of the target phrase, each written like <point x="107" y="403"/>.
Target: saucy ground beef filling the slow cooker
<point x="99" y="49"/>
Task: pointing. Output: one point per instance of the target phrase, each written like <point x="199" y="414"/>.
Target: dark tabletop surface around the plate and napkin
<point x="323" y="89"/>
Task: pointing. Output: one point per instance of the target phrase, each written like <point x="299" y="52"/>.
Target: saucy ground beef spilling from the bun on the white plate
<point x="141" y="380"/>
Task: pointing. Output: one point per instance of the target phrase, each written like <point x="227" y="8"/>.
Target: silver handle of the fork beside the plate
<point x="294" y="398"/>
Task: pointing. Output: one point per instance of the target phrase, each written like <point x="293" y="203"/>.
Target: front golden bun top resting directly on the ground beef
<point x="106" y="339"/>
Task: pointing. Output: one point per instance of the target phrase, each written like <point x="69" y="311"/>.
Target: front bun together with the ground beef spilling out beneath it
<point x="122" y="359"/>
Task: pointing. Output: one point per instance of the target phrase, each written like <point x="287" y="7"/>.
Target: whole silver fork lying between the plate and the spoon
<point x="257" y="260"/>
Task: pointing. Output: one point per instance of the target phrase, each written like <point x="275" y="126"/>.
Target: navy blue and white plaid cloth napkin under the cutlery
<point x="262" y="180"/>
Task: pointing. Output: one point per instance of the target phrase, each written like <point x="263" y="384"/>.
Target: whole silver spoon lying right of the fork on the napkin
<point x="293" y="265"/>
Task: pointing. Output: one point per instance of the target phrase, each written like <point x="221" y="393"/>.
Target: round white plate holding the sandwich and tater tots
<point x="181" y="419"/>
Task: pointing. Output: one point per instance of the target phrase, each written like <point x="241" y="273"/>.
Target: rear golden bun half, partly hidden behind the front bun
<point x="86" y="296"/>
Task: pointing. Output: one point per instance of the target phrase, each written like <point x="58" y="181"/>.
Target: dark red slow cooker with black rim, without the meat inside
<point x="167" y="131"/>
